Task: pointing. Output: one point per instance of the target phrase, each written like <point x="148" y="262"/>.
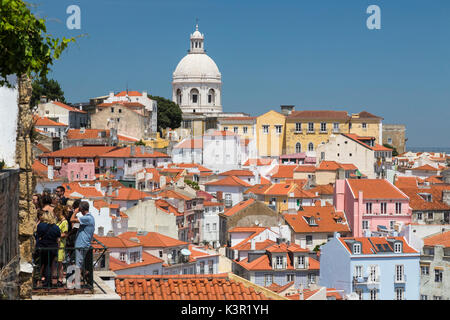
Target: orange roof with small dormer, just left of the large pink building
<point x="325" y="219"/>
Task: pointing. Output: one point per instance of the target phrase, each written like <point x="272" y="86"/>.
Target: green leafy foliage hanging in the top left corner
<point x="25" y="48"/>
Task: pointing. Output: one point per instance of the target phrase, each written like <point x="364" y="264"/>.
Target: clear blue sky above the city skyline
<point x="313" y="54"/>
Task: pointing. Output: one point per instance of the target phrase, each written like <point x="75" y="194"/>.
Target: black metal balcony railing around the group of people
<point x="67" y="269"/>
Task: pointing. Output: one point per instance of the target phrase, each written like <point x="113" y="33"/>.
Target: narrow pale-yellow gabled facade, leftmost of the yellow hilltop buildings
<point x="270" y="134"/>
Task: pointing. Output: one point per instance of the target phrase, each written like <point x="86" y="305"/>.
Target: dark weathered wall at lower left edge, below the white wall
<point x="9" y="241"/>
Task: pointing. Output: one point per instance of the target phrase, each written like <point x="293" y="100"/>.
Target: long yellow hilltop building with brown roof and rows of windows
<point x="305" y="130"/>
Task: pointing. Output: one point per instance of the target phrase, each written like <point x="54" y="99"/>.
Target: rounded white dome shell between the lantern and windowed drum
<point x="197" y="65"/>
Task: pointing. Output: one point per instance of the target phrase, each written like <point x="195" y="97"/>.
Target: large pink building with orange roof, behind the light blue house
<point x="370" y="203"/>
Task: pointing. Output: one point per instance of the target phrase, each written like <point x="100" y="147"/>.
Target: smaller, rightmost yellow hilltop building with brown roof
<point x="365" y="124"/>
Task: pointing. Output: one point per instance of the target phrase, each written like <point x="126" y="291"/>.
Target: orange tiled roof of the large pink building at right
<point x="375" y="189"/>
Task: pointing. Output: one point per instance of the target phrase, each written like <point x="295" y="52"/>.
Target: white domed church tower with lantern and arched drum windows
<point x="197" y="82"/>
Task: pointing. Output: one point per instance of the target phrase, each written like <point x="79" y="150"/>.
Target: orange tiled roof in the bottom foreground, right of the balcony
<point x="184" y="287"/>
